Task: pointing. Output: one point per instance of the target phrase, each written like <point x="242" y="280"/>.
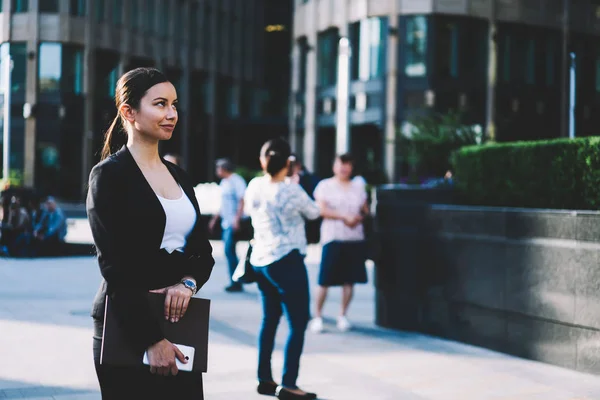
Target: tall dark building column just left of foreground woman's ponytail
<point x="89" y="93"/>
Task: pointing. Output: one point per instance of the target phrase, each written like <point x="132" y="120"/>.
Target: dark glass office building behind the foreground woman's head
<point x="69" y="54"/>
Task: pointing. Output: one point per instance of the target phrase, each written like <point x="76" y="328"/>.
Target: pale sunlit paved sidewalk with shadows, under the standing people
<point x="45" y="347"/>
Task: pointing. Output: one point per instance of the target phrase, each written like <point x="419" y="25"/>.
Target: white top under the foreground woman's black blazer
<point x="181" y="218"/>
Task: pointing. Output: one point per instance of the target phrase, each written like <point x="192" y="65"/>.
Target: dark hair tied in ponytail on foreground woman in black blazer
<point x="131" y="87"/>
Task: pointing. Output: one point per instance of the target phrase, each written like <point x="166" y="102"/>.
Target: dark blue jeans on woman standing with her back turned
<point x="284" y="288"/>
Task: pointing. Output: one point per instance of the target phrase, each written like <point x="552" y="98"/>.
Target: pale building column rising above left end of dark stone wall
<point x="390" y="130"/>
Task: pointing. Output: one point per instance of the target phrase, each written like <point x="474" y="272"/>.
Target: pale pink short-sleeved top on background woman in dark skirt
<point x="345" y="199"/>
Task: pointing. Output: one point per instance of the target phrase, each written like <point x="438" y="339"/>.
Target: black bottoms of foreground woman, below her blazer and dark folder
<point x="120" y="383"/>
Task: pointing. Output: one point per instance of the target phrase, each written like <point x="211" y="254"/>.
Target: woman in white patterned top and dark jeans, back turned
<point x="278" y="208"/>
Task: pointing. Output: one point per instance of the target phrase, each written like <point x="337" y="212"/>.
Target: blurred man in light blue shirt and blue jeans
<point x="233" y="187"/>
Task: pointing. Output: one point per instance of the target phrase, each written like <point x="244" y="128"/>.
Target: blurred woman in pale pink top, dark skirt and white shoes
<point x="343" y="204"/>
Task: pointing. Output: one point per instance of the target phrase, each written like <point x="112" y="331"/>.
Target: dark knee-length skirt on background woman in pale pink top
<point x="343" y="263"/>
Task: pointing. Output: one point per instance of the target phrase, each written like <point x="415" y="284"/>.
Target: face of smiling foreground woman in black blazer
<point x="156" y="116"/>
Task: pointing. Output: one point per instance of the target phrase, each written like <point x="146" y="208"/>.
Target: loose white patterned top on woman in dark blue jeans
<point x="278" y="211"/>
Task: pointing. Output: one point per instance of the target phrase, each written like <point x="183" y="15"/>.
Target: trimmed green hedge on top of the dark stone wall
<point x="559" y="173"/>
